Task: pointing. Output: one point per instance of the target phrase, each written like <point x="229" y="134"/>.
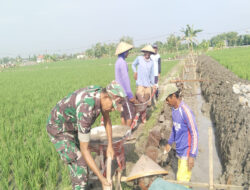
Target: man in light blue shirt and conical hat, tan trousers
<point x="143" y="68"/>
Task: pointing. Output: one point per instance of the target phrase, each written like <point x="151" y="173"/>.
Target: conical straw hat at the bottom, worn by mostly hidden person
<point x="145" y="167"/>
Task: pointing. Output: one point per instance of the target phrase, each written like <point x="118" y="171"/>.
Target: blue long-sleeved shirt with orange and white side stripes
<point x="184" y="131"/>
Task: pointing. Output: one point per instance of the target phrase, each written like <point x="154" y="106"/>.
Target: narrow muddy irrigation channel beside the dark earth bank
<point x="193" y="98"/>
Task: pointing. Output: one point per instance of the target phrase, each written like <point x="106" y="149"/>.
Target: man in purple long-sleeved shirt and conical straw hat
<point x="122" y="77"/>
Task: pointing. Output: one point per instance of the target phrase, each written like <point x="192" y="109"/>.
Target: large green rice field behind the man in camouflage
<point x="28" y="159"/>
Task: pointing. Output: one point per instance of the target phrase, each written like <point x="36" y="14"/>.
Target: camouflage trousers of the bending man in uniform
<point x="70" y="153"/>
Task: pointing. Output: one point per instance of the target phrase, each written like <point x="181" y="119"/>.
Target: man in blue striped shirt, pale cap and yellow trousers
<point x="184" y="133"/>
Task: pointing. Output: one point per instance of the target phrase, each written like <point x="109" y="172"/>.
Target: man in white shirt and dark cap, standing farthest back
<point x="157" y="67"/>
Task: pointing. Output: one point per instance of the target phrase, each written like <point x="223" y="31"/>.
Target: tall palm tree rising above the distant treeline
<point x="189" y="36"/>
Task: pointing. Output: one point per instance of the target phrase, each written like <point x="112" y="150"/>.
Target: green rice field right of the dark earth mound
<point x="235" y="59"/>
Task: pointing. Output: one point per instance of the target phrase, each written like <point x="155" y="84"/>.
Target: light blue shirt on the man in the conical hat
<point x="145" y="71"/>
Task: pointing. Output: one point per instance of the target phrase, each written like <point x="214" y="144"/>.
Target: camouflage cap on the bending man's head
<point x="114" y="90"/>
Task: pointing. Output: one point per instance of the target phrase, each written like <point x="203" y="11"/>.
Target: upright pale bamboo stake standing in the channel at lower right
<point x="211" y="170"/>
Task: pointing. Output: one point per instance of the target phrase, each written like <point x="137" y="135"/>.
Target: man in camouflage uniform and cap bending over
<point x="69" y="126"/>
